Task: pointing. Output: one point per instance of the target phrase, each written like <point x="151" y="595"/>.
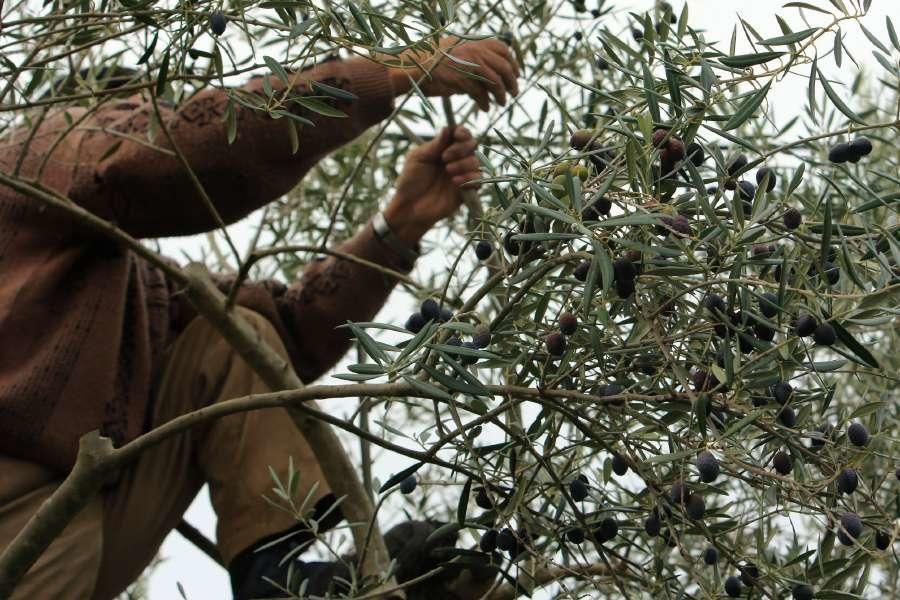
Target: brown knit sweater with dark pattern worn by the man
<point x="83" y="322"/>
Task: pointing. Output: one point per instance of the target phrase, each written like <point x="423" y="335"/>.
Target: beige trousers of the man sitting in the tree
<point x="115" y="537"/>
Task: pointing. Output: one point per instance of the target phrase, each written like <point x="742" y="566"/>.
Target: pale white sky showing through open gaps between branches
<point x="201" y="578"/>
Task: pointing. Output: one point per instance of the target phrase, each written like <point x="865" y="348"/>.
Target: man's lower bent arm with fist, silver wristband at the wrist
<point x="335" y="290"/>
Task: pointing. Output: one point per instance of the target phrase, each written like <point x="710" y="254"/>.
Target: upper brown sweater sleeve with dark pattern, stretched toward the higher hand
<point x="149" y="193"/>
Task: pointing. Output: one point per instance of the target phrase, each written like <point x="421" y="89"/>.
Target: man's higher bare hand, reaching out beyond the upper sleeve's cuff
<point x="496" y="72"/>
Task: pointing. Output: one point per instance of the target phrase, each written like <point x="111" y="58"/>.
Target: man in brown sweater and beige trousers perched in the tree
<point x="94" y="337"/>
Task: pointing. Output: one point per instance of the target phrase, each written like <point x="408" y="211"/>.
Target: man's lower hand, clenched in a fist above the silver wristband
<point x="428" y="189"/>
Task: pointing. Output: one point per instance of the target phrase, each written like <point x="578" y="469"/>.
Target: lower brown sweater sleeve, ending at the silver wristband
<point x="331" y="292"/>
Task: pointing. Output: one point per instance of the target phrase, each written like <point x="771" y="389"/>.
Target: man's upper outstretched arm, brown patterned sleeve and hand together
<point x="106" y="162"/>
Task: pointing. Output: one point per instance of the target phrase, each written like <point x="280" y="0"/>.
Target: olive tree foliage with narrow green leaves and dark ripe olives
<point x="659" y="357"/>
